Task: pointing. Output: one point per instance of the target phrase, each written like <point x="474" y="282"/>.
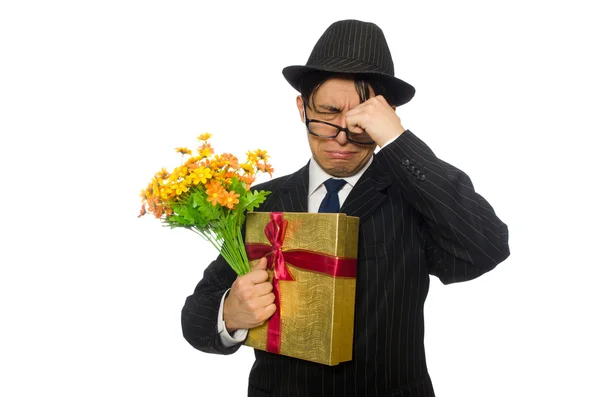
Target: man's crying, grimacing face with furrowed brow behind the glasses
<point x="338" y="157"/>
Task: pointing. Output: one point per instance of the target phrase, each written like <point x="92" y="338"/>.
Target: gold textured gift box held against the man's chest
<point x="316" y="306"/>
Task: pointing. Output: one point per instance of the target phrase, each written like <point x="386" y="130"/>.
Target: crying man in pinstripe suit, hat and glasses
<point x="418" y="216"/>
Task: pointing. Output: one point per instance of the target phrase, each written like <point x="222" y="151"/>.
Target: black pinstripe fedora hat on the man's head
<point x="357" y="47"/>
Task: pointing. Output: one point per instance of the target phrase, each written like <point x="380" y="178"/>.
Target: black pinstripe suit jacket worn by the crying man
<point x="418" y="216"/>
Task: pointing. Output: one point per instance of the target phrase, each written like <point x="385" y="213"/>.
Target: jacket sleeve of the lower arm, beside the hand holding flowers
<point x="199" y="313"/>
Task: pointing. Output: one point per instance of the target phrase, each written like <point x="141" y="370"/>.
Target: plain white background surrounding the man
<point x="94" y="96"/>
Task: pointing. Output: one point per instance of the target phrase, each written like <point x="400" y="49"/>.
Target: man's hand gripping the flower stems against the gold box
<point x="250" y="301"/>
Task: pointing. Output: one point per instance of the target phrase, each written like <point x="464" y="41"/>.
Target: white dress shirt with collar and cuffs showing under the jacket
<point x="316" y="194"/>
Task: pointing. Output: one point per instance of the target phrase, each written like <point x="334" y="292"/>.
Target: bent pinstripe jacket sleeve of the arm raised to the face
<point x="463" y="236"/>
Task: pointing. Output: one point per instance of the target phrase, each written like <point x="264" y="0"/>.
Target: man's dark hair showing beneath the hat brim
<point x="312" y="81"/>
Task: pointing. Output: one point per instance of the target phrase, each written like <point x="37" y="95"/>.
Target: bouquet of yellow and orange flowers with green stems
<point x="209" y="194"/>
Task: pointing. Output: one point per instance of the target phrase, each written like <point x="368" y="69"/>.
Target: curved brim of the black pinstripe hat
<point x="398" y="91"/>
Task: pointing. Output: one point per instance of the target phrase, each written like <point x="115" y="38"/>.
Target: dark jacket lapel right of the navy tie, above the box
<point x="368" y="194"/>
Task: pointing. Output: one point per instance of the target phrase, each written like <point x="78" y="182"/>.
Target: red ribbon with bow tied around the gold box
<point x="277" y="259"/>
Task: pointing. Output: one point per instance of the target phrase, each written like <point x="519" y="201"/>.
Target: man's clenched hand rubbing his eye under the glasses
<point x="377" y="118"/>
